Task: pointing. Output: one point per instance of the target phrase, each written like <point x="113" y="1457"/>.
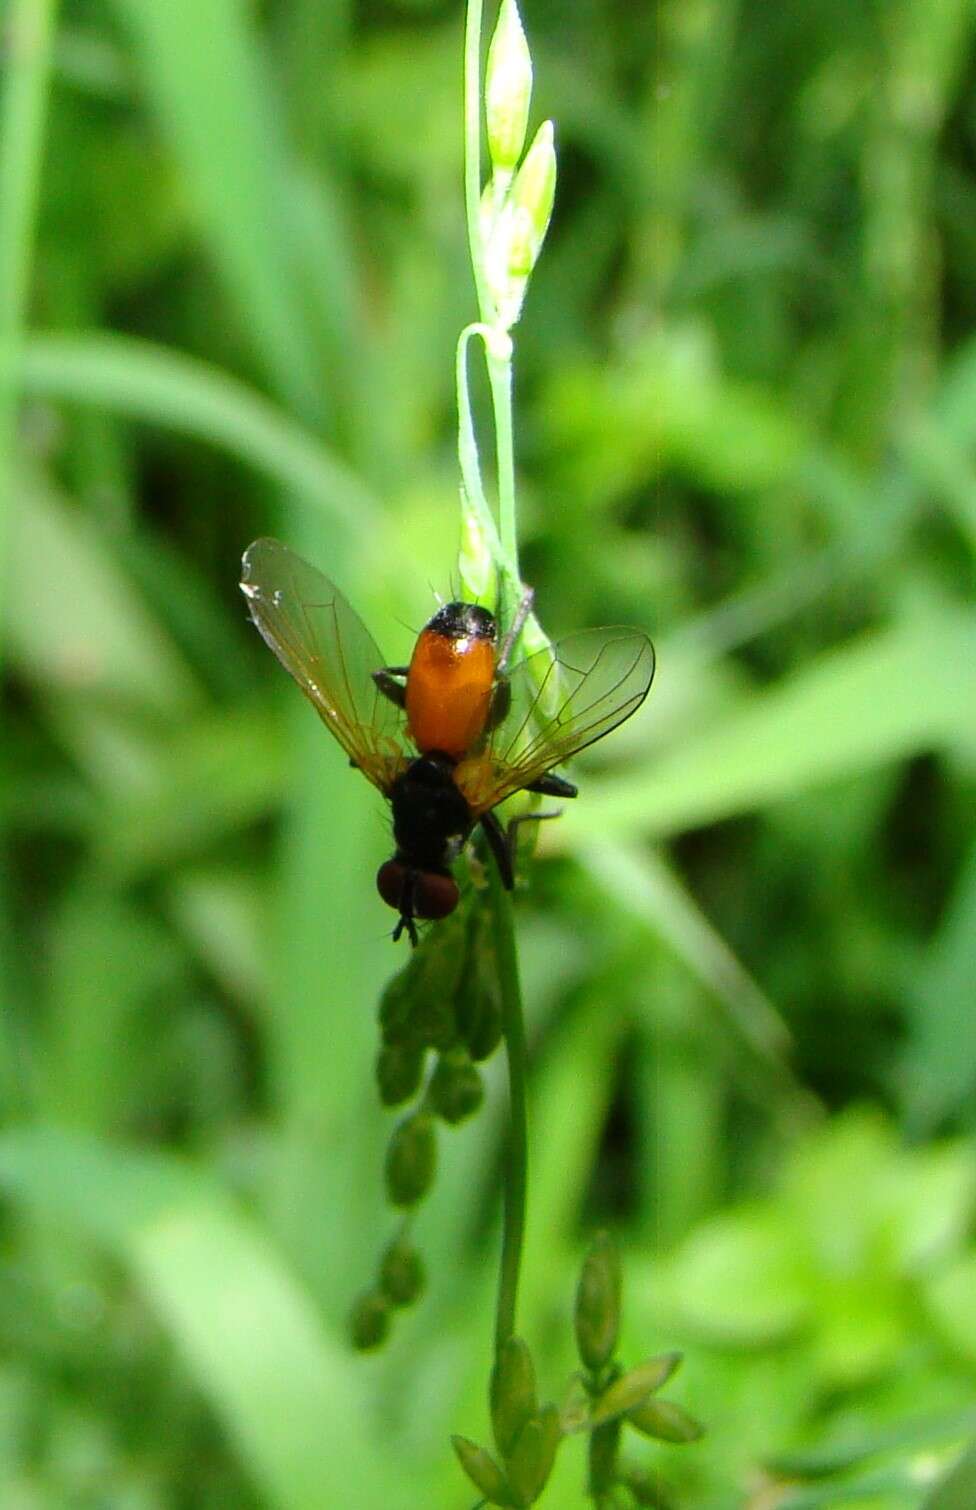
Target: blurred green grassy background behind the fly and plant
<point x="232" y="276"/>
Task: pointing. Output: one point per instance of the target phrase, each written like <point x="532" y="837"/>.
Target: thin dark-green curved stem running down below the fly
<point x="517" y="1153"/>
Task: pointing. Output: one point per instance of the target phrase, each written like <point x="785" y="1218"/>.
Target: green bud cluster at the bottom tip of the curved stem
<point x="527" y="1435"/>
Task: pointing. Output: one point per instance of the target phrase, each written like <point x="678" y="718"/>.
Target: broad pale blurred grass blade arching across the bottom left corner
<point x="247" y="1333"/>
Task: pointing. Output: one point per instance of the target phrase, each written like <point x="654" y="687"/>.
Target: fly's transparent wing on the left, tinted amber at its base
<point x="324" y="644"/>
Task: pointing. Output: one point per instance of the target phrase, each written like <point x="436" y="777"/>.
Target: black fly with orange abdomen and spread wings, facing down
<point x="456" y="733"/>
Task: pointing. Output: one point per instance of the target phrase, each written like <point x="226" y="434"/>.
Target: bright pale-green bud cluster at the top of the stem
<point x="519" y="200"/>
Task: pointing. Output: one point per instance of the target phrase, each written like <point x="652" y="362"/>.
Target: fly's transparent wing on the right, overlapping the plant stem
<point x="561" y="701"/>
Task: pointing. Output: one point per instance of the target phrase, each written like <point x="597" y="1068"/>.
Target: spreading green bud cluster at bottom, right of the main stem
<point x="613" y="1398"/>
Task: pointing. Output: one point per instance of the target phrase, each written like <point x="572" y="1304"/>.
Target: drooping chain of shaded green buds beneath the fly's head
<point x="445" y="1008"/>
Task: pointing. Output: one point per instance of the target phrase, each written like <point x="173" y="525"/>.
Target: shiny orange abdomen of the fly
<point x="449" y="692"/>
